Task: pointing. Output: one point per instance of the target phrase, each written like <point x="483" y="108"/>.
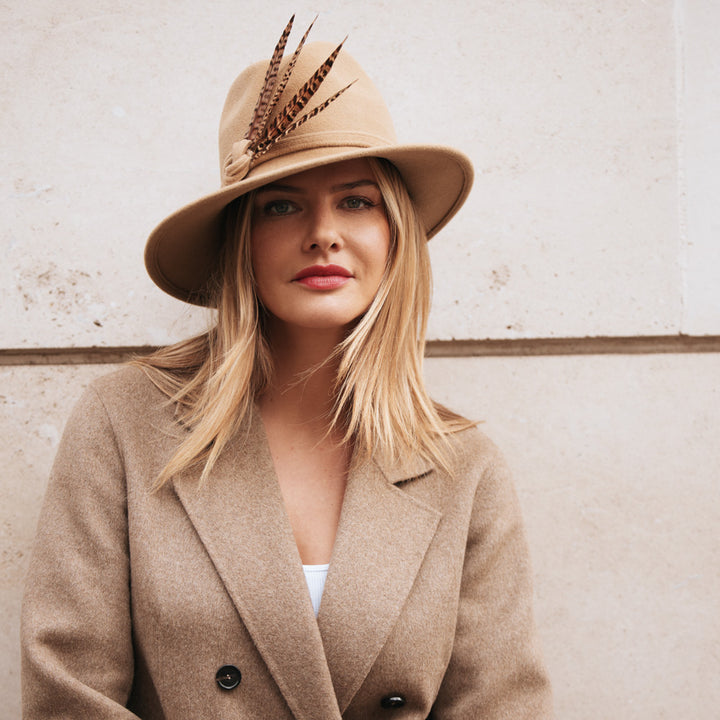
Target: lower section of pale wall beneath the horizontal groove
<point x="615" y="460"/>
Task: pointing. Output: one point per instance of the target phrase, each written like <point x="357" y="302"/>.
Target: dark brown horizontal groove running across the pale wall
<point x="635" y="345"/>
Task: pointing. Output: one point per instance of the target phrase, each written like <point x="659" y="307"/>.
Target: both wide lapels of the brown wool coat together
<point x="382" y="539"/>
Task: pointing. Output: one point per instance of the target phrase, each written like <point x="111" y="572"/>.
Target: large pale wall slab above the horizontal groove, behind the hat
<point x="567" y="109"/>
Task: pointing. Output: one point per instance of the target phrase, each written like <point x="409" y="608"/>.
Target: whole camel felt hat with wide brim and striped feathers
<point x="285" y="116"/>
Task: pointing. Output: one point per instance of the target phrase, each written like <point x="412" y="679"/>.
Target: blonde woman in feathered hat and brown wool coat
<point x="192" y="490"/>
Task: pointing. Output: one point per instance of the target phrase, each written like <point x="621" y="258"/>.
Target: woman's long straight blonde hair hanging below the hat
<point x="381" y="405"/>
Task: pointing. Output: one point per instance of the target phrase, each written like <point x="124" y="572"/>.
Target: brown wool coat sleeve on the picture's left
<point x="77" y="655"/>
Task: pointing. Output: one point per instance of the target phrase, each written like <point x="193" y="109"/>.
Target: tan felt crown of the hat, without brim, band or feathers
<point x="358" y="118"/>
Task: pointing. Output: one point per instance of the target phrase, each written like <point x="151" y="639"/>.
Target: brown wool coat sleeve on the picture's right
<point x="495" y="670"/>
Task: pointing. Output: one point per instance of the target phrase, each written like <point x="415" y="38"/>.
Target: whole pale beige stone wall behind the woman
<point x="593" y="128"/>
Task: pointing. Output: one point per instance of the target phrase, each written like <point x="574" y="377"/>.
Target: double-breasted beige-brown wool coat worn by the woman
<point x="135" y="600"/>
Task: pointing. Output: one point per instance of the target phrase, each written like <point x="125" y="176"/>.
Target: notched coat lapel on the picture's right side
<point x="383" y="536"/>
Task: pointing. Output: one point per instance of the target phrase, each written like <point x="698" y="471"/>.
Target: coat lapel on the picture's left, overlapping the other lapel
<point x="240" y="518"/>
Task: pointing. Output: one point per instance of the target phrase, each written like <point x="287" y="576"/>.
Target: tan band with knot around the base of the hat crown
<point x="240" y="160"/>
